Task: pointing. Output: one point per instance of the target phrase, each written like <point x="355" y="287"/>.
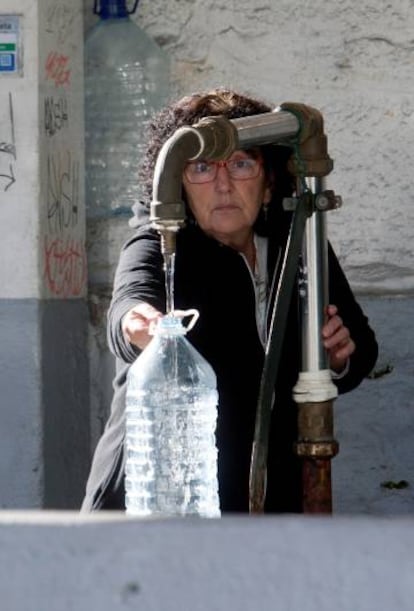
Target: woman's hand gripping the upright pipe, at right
<point x="337" y="340"/>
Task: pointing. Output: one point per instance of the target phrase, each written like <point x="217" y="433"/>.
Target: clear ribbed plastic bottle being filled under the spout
<point x="171" y="416"/>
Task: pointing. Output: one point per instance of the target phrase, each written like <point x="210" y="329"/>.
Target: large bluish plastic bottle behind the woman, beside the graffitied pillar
<point x="126" y="80"/>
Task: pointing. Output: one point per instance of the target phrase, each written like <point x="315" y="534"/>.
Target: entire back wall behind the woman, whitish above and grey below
<point x="354" y="62"/>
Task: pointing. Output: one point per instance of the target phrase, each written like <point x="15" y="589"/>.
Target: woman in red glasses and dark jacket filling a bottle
<point x="227" y="260"/>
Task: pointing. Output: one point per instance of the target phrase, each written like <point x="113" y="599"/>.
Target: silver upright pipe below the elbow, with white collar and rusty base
<point x="315" y="391"/>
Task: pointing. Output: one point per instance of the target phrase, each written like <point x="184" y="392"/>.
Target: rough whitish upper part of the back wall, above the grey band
<point x="352" y="61"/>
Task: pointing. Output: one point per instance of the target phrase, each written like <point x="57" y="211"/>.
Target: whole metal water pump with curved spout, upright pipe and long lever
<point x="216" y="138"/>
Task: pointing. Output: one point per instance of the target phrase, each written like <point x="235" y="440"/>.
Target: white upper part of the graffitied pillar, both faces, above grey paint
<point x="41" y="108"/>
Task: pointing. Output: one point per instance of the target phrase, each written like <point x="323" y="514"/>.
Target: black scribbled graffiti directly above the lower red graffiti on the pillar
<point x="62" y="191"/>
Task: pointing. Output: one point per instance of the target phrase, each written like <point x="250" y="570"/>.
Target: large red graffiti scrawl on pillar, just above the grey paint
<point x="65" y="266"/>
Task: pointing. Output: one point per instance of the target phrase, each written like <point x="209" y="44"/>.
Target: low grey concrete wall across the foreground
<point x="64" y="563"/>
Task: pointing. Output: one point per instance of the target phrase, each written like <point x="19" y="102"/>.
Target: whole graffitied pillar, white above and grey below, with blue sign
<point x="44" y="437"/>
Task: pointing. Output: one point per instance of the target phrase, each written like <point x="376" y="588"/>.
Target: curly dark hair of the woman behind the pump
<point x="190" y="109"/>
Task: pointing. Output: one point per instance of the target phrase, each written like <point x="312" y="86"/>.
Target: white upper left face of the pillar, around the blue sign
<point x="19" y="127"/>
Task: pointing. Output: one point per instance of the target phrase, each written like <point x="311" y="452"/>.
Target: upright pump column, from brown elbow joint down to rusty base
<point x="314" y="392"/>
